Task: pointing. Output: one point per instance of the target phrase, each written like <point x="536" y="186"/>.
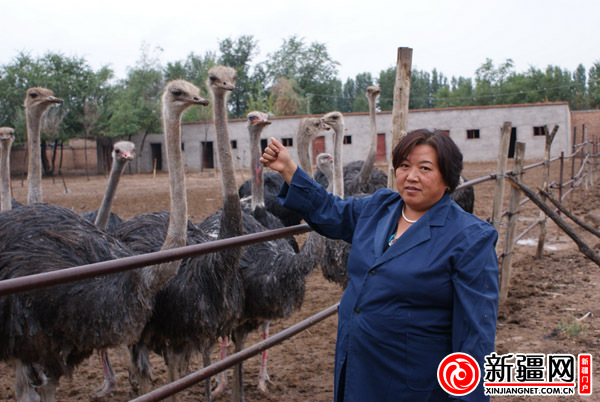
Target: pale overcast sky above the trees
<point x="453" y="36"/>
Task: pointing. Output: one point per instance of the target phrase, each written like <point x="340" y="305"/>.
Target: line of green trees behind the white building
<point x="299" y="78"/>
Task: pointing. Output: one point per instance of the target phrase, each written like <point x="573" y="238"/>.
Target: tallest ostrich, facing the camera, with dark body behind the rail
<point x="205" y="299"/>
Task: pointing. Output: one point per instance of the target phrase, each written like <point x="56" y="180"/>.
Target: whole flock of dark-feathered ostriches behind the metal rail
<point x="174" y="309"/>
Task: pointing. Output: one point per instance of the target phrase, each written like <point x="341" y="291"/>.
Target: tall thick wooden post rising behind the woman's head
<point x="400" y="107"/>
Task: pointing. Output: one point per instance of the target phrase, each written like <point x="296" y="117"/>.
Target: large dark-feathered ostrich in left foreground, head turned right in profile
<point x="48" y="332"/>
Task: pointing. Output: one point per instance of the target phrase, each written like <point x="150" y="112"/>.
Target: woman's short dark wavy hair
<point x="449" y="156"/>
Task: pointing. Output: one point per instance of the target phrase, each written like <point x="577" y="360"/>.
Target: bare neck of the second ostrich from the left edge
<point x="34" y="169"/>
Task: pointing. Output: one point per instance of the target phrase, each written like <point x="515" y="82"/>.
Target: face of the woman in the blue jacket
<point x="419" y="180"/>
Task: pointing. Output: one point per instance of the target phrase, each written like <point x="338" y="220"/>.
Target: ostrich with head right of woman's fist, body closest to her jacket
<point x="274" y="276"/>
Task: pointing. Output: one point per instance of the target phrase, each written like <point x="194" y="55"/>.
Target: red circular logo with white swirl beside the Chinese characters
<point x="458" y="374"/>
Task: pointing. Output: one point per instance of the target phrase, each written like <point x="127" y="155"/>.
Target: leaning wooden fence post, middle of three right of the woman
<point x="511" y="229"/>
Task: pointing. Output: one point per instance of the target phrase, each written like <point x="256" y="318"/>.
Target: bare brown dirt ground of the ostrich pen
<point x="547" y="297"/>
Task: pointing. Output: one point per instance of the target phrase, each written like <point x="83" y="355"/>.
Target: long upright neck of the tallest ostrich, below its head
<point x="231" y="221"/>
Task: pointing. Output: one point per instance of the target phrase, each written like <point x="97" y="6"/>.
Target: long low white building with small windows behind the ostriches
<point x="476" y="131"/>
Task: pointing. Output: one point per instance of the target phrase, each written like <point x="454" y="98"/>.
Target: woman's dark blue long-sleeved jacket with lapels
<point x="432" y="293"/>
